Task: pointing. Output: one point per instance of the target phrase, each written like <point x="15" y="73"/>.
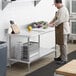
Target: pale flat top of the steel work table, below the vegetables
<point x="35" y="32"/>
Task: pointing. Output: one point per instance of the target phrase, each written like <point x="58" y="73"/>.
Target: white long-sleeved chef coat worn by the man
<point x="62" y="16"/>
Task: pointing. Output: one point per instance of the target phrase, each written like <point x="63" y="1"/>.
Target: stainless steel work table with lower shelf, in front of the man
<point x="36" y="32"/>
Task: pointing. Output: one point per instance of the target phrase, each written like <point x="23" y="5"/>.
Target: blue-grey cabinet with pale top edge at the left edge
<point x="3" y="58"/>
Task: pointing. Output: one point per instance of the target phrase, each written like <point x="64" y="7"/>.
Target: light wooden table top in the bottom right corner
<point x="68" y="69"/>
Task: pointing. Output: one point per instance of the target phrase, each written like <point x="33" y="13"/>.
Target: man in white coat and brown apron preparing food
<point x="61" y="19"/>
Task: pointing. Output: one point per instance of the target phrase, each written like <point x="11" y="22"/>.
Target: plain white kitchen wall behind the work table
<point x="23" y="13"/>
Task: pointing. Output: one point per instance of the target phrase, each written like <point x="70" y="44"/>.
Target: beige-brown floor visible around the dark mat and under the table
<point x="20" y="69"/>
